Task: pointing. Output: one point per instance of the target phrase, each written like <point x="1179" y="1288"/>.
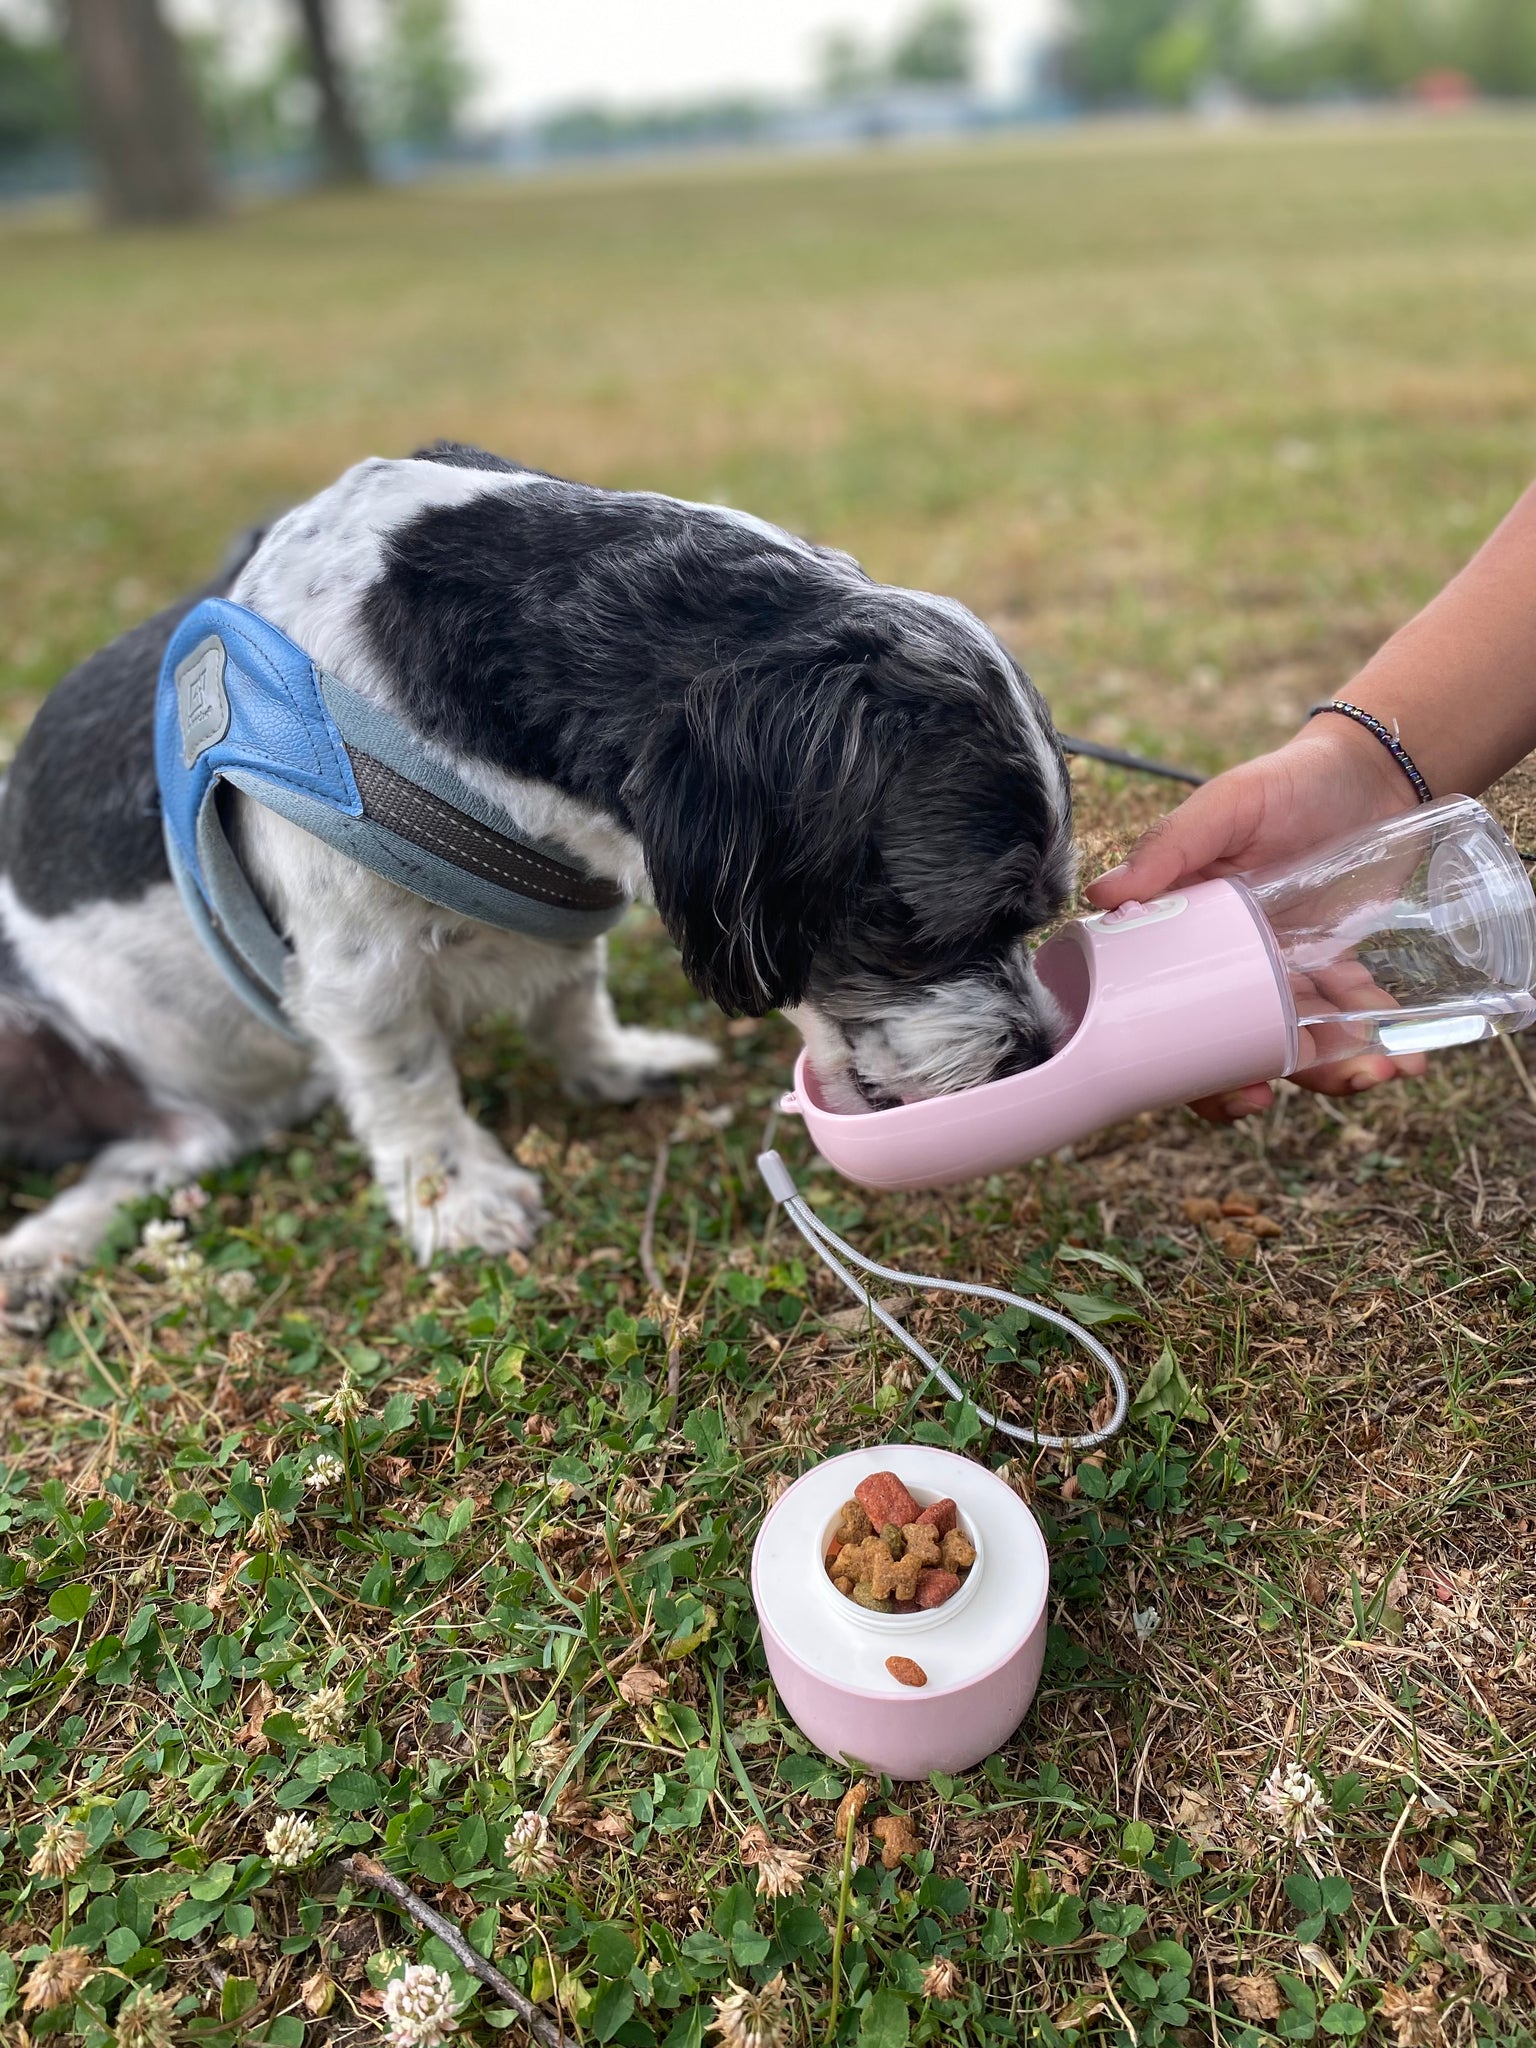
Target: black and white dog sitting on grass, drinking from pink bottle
<point x="845" y="800"/>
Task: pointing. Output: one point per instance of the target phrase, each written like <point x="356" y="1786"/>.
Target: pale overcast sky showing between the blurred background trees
<point x="538" y="54"/>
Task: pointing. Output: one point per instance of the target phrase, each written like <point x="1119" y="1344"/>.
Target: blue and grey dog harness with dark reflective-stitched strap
<point x="241" y="706"/>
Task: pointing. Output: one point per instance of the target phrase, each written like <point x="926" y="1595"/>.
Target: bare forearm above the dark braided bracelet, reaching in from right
<point x="1459" y="683"/>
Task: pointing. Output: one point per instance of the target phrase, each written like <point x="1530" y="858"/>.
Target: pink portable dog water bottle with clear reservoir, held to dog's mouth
<point x="1414" y="935"/>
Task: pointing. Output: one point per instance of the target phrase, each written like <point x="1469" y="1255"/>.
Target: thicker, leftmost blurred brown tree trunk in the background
<point x="142" y="122"/>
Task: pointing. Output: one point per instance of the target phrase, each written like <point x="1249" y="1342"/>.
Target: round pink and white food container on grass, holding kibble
<point x="982" y="1652"/>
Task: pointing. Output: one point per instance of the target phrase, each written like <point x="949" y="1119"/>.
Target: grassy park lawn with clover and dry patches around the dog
<point x="1195" y="421"/>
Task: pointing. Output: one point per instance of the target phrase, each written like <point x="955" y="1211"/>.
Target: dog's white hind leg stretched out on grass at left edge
<point x="44" y="1254"/>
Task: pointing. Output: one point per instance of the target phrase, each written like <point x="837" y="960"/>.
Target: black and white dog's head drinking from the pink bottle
<point x="861" y="824"/>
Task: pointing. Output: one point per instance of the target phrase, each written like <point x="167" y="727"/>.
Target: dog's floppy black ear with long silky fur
<point x="755" y="804"/>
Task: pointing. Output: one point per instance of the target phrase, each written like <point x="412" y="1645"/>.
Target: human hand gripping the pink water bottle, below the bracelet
<point x="1330" y="779"/>
